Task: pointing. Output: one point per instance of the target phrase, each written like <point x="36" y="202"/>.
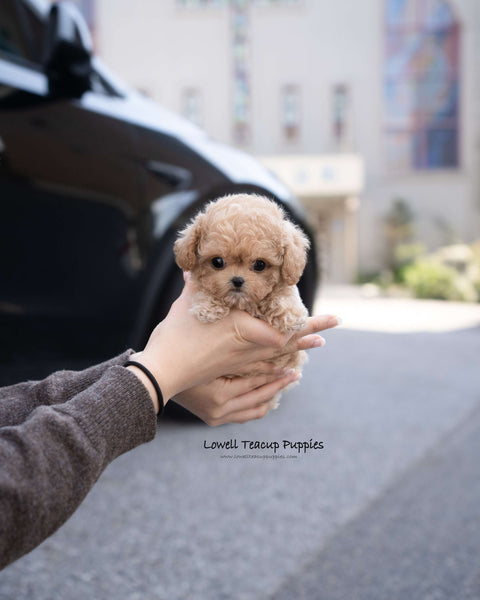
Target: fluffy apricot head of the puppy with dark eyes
<point x="241" y="248"/>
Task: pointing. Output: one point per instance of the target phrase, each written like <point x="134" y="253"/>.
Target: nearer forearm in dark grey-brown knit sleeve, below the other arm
<point x="50" y="462"/>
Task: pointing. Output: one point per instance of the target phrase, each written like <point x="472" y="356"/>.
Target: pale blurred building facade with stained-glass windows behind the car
<point x="354" y="104"/>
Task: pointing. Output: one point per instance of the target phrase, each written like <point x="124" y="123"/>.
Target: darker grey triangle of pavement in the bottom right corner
<point x="420" y="539"/>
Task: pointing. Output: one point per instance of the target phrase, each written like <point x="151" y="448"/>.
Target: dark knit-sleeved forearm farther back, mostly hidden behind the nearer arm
<point x="18" y="401"/>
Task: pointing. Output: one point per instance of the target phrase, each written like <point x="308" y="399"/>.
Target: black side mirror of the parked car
<point x="68" y="51"/>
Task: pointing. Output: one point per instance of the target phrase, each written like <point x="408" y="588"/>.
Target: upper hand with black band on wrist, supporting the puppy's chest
<point x="183" y="352"/>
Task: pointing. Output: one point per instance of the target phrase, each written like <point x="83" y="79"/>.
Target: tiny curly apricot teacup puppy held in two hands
<point x="243" y="253"/>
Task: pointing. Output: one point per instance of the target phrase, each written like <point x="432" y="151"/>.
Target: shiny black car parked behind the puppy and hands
<point x="95" y="182"/>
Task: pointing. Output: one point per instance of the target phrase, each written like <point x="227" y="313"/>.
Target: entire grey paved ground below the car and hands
<point x="388" y="509"/>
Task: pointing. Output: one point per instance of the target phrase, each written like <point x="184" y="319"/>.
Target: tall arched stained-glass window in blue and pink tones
<point x="421" y="85"/>
